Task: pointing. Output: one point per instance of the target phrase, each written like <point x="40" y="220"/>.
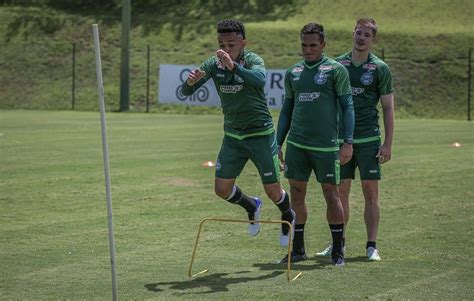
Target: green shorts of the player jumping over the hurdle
<point x="261" y="150"/>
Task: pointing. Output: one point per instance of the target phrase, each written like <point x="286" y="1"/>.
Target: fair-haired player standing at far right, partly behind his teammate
<point x="371" y="81"/>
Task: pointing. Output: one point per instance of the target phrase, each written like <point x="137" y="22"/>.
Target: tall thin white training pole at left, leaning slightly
<point x="105" y="151"/>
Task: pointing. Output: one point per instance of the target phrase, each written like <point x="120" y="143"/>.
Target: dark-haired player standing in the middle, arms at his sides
<point x="315" y="88"/>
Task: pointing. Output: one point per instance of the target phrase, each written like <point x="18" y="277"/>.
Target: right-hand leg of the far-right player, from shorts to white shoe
<point x="370" y="174"/>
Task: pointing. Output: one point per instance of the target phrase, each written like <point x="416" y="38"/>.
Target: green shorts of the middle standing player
<point x="300" y="162"/>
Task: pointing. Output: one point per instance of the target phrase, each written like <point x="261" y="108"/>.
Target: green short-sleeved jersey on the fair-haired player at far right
<point x="369" y="81"/>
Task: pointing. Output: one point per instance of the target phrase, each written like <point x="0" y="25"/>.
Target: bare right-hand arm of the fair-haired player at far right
<point x="385" y="152"/>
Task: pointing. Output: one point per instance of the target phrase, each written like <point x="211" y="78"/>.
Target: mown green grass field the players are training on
<point x="53" y="221"/>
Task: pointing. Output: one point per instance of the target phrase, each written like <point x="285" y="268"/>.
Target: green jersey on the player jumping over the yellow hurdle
<point x="242" y="95"/>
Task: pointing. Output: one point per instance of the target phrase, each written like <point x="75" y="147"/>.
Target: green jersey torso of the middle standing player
<point x="314" y="91"/>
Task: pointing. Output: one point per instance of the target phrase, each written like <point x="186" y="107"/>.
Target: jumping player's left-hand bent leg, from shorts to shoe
<point x="230" y="162"/>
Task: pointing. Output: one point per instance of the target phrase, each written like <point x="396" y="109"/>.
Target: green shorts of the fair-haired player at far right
<point x="363" y="157"/>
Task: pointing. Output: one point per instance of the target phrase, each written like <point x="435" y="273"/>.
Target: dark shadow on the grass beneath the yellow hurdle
<point x="215" y="283"/>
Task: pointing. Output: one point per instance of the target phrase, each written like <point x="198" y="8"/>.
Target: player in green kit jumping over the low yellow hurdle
<point x="239" y="76"/>
